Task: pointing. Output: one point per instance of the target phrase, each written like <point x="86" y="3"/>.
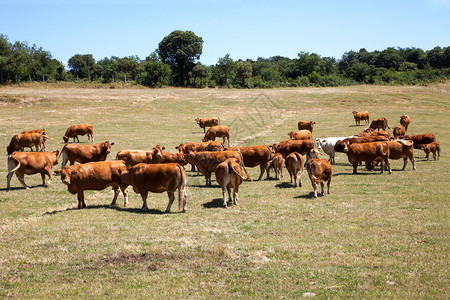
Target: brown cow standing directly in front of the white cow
<point x="319" y="170"/>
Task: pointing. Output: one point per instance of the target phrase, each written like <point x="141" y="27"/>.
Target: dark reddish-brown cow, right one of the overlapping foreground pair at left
<point x="157" y="178"/>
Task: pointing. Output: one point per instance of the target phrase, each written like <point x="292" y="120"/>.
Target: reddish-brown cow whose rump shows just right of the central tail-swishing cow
<point x="254" y="156"/>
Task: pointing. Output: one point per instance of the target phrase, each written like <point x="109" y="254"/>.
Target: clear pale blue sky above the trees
<point x="244" y="29"/>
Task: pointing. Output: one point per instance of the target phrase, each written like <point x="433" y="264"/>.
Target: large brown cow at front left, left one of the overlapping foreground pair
<point x="94" y="176"/>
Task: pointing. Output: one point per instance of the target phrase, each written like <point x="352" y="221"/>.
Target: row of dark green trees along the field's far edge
<point x="176" y="63"/>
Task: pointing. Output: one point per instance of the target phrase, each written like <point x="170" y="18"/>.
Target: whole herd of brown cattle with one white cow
<point x="158" y="171"/>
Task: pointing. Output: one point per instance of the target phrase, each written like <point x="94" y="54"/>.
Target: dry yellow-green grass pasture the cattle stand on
<point x="375" y="236"/>
